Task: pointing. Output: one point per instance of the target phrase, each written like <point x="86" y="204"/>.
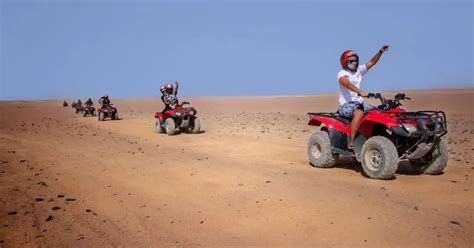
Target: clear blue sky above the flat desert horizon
<point x="69" y="49"/>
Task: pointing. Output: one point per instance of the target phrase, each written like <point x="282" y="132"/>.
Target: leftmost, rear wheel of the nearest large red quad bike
<point x="319" y="150"/>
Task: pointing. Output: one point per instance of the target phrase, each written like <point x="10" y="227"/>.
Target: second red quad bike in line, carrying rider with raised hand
<point x="182" y="118"/>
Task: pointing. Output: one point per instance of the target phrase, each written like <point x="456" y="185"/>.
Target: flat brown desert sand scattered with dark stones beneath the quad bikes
<point x="72" y="181"/>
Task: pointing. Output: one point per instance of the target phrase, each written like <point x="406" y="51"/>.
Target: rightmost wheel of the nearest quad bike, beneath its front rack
<point x="434" y="162"/>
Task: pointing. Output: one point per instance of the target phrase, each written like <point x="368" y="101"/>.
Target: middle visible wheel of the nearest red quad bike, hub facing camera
<point x="379" y="158"/>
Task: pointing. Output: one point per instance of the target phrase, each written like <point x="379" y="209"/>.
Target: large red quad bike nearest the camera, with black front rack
<point x="385" y="135"/>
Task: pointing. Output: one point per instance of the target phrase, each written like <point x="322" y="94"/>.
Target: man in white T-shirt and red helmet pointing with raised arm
<point x="351" y="101"/>
